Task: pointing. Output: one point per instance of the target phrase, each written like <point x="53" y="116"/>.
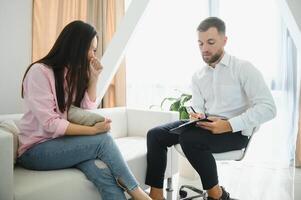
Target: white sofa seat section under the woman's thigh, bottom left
<point x="50" y="185"/>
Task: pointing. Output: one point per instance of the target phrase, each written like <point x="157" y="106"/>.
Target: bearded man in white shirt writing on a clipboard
<point x="232" y="92"/>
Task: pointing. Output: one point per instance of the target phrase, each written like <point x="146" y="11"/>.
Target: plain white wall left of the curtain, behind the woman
<point x="15" y="51"/>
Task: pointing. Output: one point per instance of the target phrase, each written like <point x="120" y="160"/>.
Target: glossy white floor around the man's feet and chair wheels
<point x="251" y="182"/>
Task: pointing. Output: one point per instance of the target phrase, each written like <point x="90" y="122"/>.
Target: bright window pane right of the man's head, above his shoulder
<point x="254" y="33"/>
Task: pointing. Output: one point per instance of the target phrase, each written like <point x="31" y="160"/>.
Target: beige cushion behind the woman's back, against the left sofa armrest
<point x="10" y="126"/>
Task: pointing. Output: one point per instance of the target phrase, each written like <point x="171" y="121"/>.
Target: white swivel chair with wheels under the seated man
<point x="236" y="155"/>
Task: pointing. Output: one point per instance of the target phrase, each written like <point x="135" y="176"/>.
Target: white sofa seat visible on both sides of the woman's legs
<point x="71" y="183"/>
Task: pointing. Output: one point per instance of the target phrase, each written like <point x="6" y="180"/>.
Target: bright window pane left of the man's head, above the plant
<point x="163" y="54"/>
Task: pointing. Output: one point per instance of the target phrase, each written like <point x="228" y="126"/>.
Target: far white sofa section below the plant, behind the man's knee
<point x="140" y="121"/>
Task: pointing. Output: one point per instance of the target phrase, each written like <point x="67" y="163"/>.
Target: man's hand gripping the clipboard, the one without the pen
<point x="218" y="126"/>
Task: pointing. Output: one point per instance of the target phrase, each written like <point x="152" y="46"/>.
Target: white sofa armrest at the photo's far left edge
<point x="6" y="165"/>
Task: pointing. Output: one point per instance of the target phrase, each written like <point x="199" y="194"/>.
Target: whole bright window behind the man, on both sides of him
<point x="164" y="54"/>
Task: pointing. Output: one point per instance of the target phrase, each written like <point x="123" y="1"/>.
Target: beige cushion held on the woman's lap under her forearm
<point x="84" y="117"/>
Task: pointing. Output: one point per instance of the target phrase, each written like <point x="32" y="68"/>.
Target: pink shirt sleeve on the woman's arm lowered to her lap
<point x="41" y="101"/>
